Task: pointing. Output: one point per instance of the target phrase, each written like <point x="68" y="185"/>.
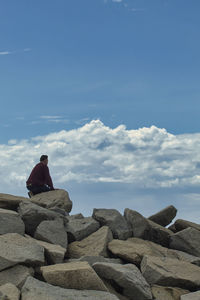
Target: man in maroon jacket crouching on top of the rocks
<point x="40" y="180"/>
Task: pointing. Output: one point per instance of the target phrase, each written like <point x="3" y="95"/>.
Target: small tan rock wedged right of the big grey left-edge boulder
<point x="54" y="253"/>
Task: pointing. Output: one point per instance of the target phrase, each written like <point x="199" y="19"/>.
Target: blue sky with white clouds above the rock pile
<point x="109" y="89"/>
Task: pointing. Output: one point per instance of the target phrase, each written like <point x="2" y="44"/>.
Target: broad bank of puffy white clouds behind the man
<point x="146" y="157"/>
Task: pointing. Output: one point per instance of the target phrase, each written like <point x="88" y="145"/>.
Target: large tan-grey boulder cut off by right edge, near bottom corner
<point x="170" y="272"/>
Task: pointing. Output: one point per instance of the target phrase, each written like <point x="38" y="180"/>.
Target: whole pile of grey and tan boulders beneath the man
<point x="48" y="254"/>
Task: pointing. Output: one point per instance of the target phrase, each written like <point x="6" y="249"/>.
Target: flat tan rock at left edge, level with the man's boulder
<point x="8" y="201"/>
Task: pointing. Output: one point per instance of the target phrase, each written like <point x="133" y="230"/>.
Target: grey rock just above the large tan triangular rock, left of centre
<point x="78" y="229"/>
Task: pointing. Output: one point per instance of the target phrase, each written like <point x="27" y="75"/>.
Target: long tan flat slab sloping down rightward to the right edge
<point x="134" y="249"/>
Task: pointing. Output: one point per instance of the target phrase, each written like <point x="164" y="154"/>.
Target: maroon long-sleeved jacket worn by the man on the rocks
<point x="40" y="176"/>
